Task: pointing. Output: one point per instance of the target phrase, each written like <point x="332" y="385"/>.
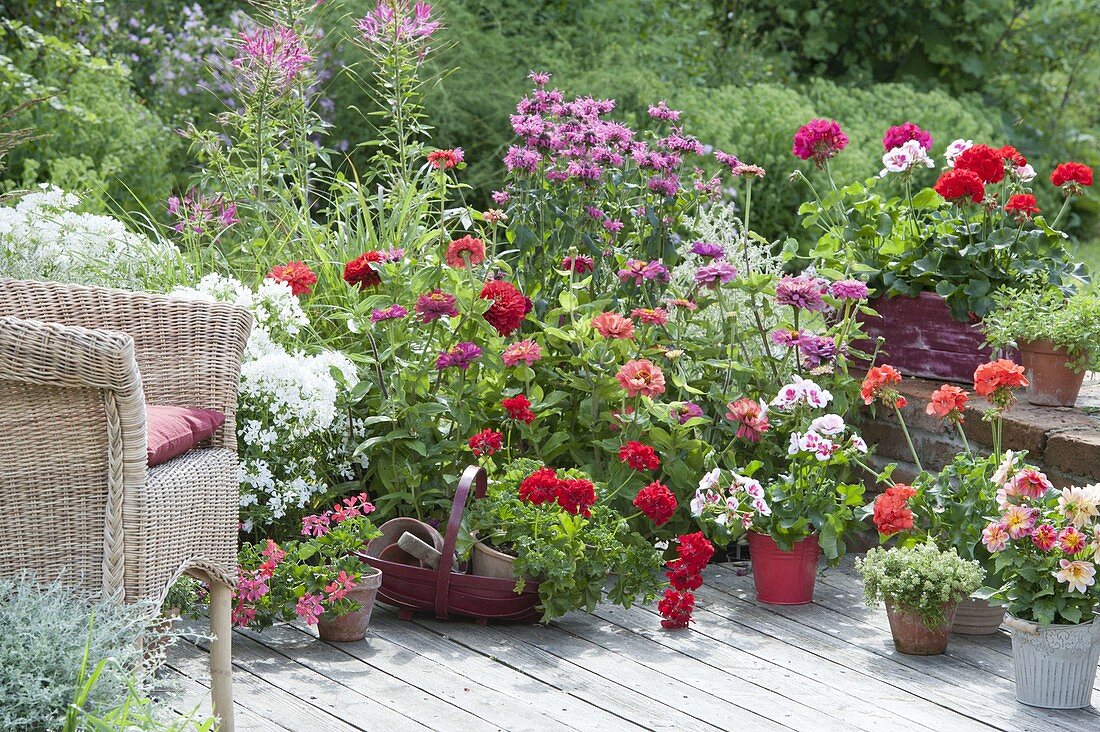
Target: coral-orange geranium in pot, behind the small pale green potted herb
<point x="950" y="507"/>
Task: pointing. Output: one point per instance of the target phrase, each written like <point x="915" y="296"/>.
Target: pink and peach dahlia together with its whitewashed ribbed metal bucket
<point x="1046" y="550"/>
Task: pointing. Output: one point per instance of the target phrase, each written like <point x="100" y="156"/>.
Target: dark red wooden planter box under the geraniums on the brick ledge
<point x="922" y="338"/>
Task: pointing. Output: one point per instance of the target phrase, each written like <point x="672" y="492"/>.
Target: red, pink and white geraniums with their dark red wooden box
<point x="938" y="253"/>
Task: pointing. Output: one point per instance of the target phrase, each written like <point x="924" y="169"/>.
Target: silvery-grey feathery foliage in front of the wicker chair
<point x="50" y="635"/>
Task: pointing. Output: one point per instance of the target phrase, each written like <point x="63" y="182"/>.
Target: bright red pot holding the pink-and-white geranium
<point x="784" y="578"/>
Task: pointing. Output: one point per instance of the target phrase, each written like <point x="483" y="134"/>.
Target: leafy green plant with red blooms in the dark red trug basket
<point x="559" y="527"/>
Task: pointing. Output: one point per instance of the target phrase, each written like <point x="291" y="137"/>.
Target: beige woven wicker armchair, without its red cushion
<point x="78" y="366"/>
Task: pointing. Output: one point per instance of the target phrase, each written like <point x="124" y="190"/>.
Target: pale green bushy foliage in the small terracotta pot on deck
<point x="920" y="580"/>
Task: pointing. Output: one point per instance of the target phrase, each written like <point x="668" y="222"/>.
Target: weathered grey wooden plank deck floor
<point x="742" y="667"/>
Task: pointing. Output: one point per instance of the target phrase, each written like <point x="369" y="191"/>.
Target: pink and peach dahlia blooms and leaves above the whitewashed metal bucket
<point x="1044" y="548"/>
